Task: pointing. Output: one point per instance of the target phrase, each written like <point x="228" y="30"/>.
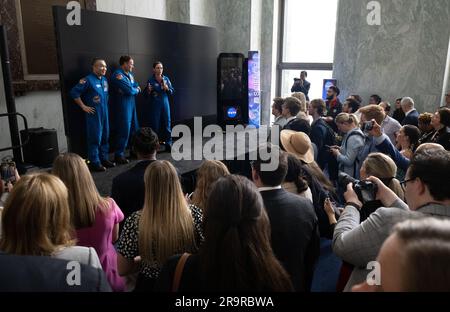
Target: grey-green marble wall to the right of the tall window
<point x="405" y="56"/>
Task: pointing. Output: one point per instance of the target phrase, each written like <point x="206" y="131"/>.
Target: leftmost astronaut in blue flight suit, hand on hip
<point x="91" y="94"/>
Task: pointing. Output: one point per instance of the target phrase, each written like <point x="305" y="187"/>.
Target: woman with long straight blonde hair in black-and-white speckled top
<point x="164" y="227"/>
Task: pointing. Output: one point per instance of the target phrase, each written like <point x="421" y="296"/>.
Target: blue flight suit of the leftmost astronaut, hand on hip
<point x="94" y="93"/>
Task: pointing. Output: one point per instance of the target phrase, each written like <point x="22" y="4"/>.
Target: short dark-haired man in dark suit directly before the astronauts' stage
<point x="128" y="188"/>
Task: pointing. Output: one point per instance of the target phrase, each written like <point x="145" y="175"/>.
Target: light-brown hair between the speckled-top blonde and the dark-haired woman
<point x="208" y="173"/>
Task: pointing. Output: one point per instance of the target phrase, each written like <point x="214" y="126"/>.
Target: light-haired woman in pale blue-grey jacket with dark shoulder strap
<point x="354" y="139"/>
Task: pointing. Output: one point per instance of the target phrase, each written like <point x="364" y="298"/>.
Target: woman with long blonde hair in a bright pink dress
<point x="95" y="218"/>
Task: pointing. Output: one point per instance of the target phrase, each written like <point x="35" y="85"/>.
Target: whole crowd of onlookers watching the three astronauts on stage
<point x="375" y="185"/>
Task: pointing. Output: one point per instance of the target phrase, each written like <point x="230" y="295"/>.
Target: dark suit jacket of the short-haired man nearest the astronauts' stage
<point x="128" y="188"/>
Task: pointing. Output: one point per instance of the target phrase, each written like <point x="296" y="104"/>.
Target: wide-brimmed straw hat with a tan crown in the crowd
<point x="298" y="144"/>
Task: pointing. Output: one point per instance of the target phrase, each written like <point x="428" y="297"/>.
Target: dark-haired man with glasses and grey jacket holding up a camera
<point x="426" y="191"/>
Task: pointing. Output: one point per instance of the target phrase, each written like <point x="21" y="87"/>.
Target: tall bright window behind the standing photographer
<point x="307" y="33"/>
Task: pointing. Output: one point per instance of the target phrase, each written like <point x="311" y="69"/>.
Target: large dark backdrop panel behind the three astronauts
<point x="189" y="54"/>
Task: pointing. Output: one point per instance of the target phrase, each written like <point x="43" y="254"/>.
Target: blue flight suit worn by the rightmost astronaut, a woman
<point x="160" y="108"/>
